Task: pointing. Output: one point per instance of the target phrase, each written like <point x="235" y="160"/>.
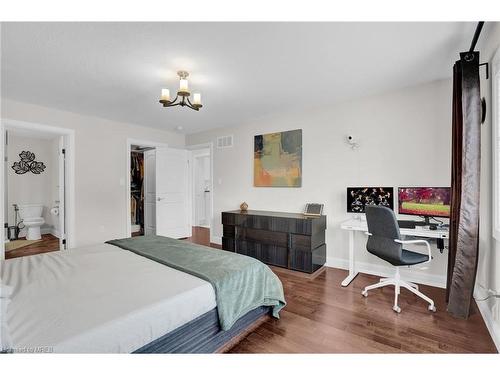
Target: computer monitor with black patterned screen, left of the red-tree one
<point x="359" y="197"/>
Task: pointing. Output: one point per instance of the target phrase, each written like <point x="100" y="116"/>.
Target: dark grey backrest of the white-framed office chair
<point x="384" y="229"/>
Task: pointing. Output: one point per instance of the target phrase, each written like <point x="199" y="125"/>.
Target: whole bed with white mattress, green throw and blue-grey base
<point x="128" y="296"/>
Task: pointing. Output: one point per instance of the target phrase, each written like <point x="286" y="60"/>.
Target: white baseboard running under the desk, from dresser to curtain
<point x="413" y="275"/>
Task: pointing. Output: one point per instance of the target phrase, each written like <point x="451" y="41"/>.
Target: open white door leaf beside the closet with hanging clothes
<point x="172" y="198"/>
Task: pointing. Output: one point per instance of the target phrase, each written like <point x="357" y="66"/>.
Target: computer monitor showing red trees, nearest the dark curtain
<point x="424" y="201"/>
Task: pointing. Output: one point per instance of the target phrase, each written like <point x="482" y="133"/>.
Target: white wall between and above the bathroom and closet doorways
<point x="100" y="162"/>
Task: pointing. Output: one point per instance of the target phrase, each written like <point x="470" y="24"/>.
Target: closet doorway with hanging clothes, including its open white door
<point x="162" y="190"/>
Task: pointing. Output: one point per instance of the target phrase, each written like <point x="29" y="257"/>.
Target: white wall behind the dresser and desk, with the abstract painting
<point x="404" y="137"/>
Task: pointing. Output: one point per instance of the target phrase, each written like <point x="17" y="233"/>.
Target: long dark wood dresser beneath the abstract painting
<point x="289" y="240"/>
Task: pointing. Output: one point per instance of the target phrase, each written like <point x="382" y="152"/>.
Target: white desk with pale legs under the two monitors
<point x="357" y="225"/>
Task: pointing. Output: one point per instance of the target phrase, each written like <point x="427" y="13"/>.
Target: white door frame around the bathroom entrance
<point x="69" y="198"/>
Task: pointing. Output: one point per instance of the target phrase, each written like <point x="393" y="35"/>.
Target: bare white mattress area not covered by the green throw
<point x="98" y="299"/>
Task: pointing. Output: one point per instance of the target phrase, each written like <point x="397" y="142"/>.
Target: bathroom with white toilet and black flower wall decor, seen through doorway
<point x="32" y="193"/>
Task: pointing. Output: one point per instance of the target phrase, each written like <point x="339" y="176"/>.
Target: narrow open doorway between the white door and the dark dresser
<point x="201" y="188"/>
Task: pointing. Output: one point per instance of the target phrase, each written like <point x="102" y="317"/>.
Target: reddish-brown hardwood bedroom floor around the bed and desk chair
<point x="323" y="317"/>
